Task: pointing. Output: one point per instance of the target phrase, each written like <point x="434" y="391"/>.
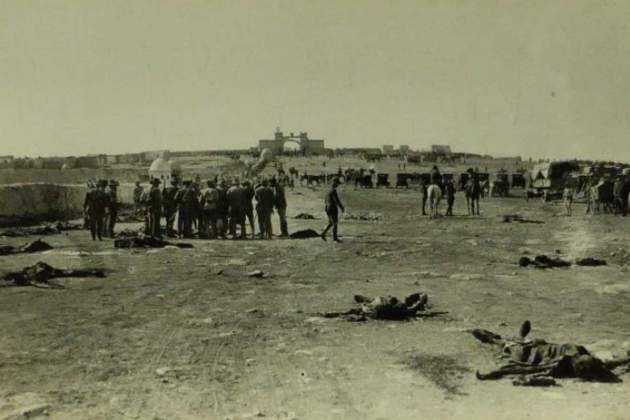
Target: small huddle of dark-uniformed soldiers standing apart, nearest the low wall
<point x="100" y="208"/>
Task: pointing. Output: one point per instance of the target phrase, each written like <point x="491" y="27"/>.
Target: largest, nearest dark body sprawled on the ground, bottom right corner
<point x="537" y="362"/>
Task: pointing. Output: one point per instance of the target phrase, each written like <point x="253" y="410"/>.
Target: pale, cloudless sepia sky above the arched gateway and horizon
<point x="541" y="78"/>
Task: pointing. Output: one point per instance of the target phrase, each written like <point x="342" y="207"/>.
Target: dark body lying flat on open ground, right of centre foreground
<point x="387" y="308"/>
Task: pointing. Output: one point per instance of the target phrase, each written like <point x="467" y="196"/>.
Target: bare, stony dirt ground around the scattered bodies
<point x="187" y="334"/>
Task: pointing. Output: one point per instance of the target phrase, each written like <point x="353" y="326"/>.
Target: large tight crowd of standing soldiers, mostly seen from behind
<point x="212" y="209"/>
